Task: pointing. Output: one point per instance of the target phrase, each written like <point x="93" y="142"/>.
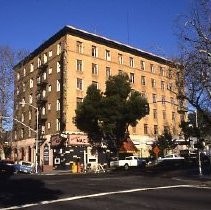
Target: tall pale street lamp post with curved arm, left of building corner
<point x="37" y="135"/>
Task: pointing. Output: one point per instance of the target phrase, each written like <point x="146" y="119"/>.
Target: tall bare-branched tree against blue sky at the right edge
<point x="195" y="39"/>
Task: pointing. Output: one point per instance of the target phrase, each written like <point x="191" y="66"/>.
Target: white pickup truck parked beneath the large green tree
<point x="130" y="161"/>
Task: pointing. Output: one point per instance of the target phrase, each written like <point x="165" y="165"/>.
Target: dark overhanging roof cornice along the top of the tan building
<point x="91" y="36"/>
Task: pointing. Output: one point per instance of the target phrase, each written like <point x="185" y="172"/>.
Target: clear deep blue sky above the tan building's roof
<point x="145" y="24"/>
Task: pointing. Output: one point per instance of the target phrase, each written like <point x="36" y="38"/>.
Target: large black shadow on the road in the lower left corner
<point x="24" y="191"/>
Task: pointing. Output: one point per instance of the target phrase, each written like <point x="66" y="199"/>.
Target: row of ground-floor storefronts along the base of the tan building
<point x="67" y="151"/>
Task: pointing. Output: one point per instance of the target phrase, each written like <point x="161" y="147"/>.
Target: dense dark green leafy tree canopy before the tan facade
<point x="105" y="117"/>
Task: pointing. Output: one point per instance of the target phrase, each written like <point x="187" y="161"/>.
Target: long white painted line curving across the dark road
<point x="101" y="194"/>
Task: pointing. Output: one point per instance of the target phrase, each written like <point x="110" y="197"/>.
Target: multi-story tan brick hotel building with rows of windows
<point x="54" y="78"/>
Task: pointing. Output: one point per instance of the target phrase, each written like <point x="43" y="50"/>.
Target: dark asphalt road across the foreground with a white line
<point x="131" y="191"/>
